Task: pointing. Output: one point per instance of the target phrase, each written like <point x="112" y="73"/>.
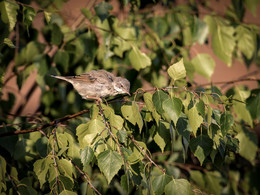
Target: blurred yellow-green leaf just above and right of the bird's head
<point x="138" y="59"/>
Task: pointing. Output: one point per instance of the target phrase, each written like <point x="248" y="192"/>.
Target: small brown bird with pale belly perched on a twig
<point x="97" y="84"/>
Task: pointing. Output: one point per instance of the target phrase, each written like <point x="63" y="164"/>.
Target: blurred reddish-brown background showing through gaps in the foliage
<point x="27" y="100"/>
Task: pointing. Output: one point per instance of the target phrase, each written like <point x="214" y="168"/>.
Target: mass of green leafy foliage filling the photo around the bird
<point x="173" y="141"/>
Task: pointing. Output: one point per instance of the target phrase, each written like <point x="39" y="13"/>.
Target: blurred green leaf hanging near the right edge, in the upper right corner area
<point x="246" y="41"/>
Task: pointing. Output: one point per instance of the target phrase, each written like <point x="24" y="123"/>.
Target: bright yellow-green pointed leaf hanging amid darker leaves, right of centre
<point x="195" y="119"/>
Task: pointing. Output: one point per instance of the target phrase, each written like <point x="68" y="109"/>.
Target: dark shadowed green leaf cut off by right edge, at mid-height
<point x="253" y="104"/>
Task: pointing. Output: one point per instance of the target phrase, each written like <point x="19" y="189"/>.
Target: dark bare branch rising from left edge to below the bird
<point x="55" y="122"/>
